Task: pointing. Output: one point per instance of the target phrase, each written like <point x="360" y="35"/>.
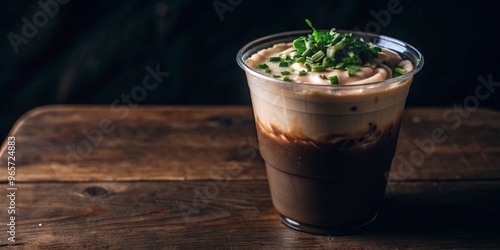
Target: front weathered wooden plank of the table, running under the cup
<point x="147" y="215"/>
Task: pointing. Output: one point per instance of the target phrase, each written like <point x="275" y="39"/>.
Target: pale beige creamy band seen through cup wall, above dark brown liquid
<point x="315" y="116"/>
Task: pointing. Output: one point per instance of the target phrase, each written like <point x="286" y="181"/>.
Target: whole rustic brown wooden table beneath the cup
<point x="191" y="177"/>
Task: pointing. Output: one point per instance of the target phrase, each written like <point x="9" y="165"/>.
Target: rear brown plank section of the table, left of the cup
<point x="153" y="143"/>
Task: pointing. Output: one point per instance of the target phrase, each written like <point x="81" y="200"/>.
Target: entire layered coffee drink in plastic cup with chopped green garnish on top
<point x="328" y="131"/>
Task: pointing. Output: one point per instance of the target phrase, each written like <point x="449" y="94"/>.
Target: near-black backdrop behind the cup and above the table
<point x="91" y="52"/>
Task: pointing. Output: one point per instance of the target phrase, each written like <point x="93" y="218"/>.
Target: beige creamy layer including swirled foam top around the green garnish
<point x="317" y="112"/>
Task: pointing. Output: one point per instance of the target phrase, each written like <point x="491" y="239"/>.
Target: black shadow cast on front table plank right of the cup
<point x="470" y="211"/>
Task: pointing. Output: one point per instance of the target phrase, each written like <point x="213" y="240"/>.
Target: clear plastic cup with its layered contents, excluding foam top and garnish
<point x="328" y="148"/>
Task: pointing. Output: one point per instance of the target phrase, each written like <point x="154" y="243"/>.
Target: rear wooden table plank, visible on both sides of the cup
<point x="196" y="143"/>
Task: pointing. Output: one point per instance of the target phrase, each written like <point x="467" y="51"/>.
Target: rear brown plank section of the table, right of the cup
<point x="468" y="146"/>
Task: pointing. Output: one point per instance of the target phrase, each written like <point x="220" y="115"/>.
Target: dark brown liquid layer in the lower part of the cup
<point x="335" y="181"/>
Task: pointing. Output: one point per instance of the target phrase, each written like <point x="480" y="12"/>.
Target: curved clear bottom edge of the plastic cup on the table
<point x="325" y="230"/>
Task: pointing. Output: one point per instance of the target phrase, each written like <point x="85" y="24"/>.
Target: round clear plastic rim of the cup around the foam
<point x="296" y="33"/>
